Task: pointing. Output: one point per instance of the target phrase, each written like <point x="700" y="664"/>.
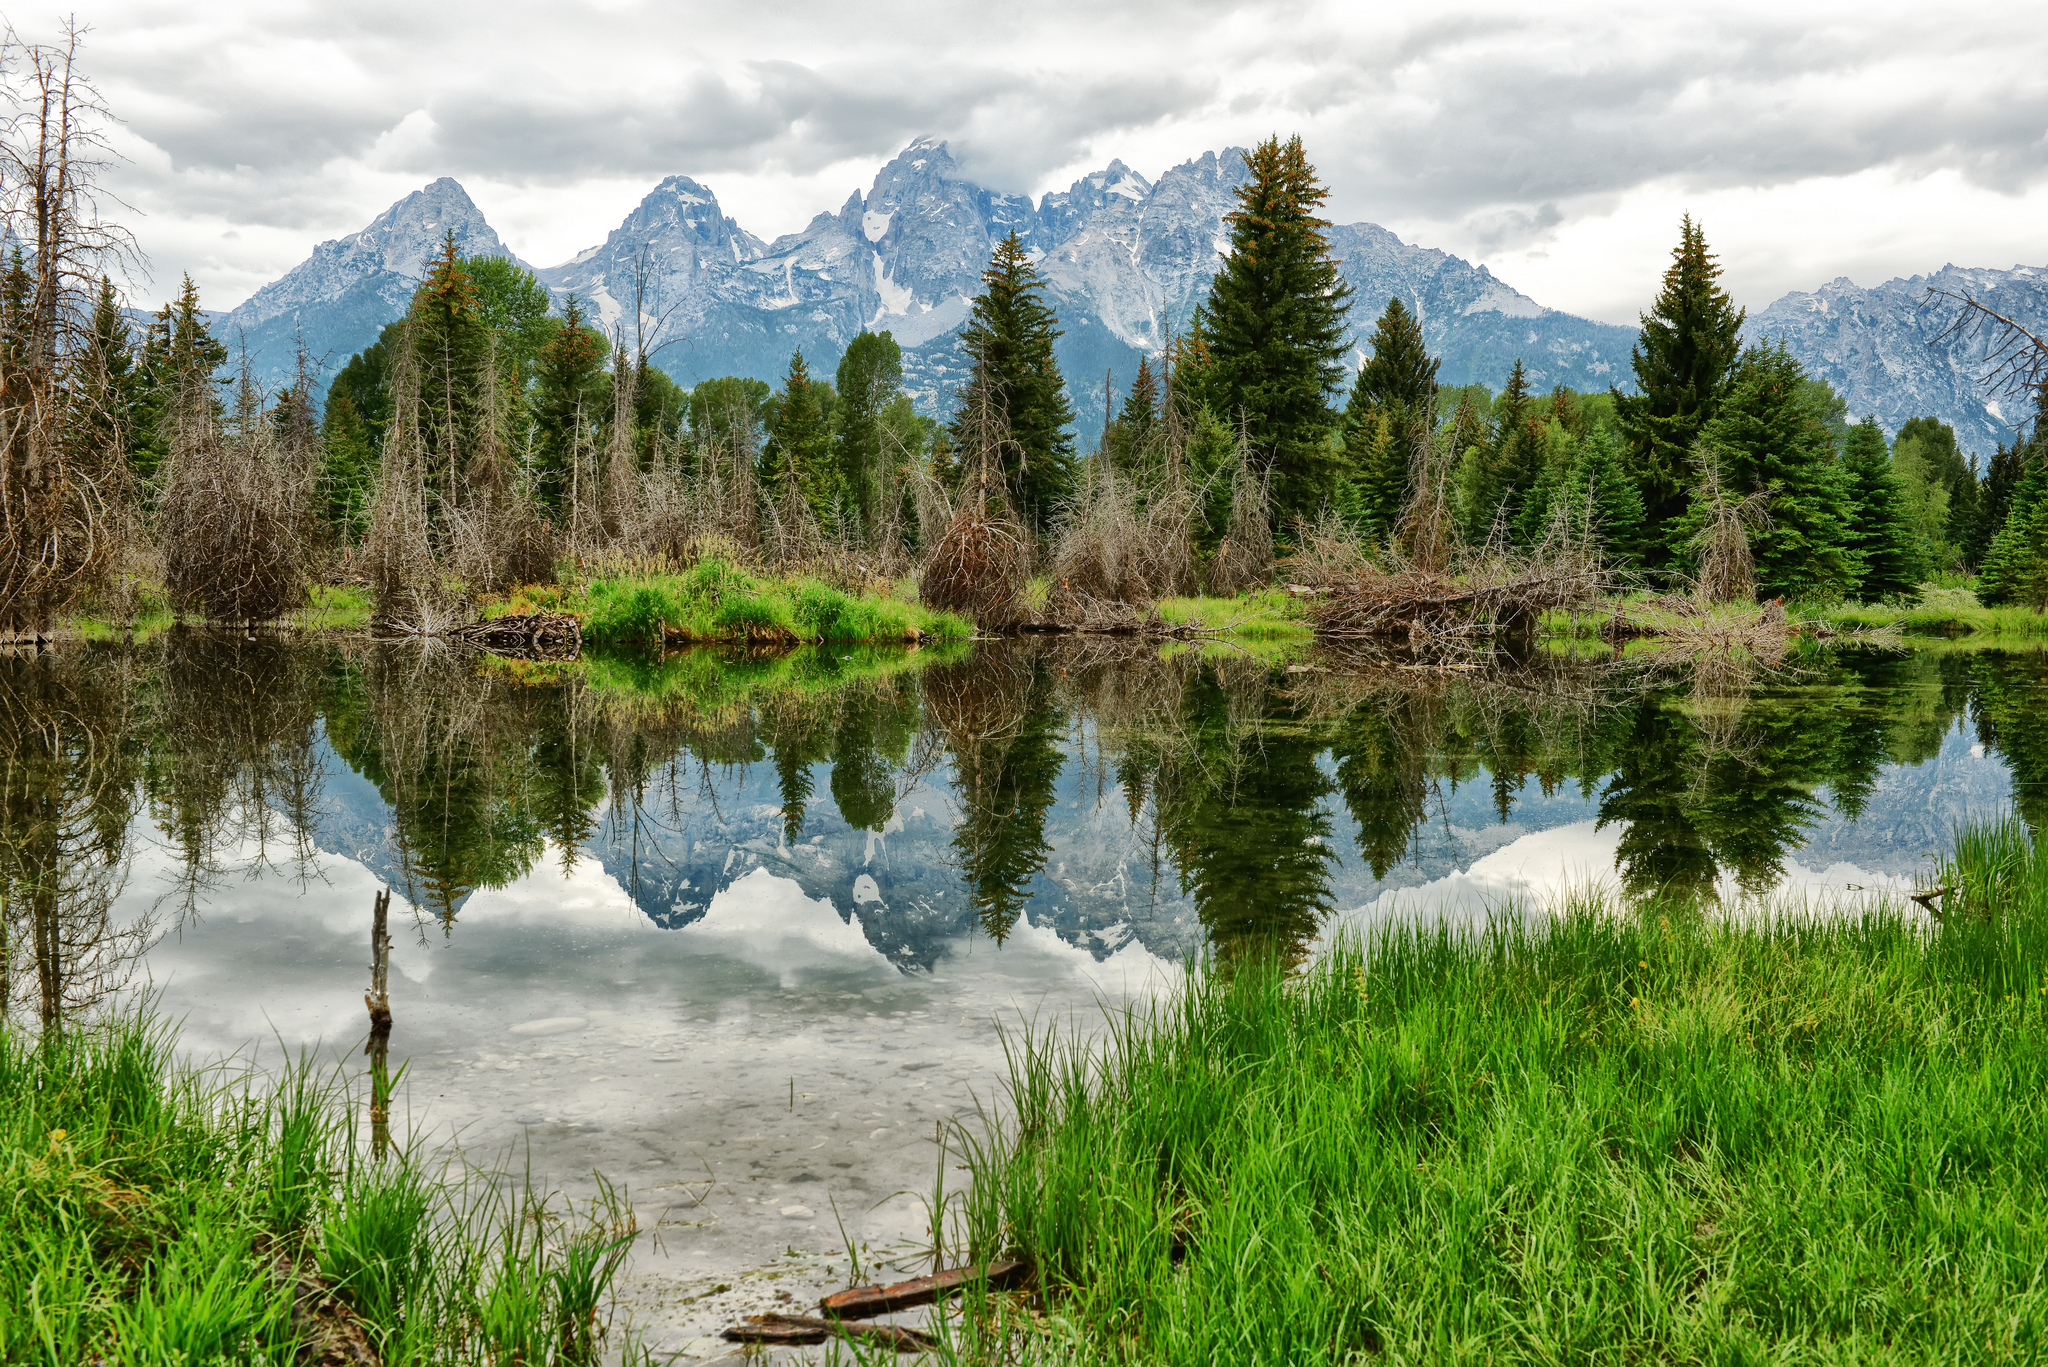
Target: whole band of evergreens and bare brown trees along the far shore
<point x="495" y="436"/>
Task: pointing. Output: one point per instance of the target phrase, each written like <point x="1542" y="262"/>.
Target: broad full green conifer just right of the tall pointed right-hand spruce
<point x="1768" y="438"/>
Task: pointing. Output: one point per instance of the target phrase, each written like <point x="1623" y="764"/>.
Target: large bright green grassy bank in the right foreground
<point x="1625" y="1134"/>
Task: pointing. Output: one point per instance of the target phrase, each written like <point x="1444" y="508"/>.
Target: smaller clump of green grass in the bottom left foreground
<point x="159" y="1214"/>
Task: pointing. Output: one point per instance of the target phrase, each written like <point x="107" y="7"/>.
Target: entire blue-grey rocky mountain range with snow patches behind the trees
<point x="1125" y="263"/>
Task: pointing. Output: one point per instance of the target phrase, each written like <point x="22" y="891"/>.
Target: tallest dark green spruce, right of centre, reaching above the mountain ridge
<point x="1277" y="327"/>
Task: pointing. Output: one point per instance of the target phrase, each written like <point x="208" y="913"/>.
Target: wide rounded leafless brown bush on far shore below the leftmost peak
<point x="237" y="515"/>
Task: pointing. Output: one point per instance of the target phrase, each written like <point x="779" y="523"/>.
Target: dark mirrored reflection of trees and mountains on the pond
<point x="1107" y="790"/>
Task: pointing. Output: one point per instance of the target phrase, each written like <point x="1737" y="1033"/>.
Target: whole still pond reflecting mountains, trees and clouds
<point x="744" y="931"/>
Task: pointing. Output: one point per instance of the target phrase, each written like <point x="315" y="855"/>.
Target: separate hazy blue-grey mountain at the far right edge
<point x="1891" y="349"/>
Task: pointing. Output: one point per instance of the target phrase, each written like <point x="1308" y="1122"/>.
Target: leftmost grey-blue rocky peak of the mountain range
<point x="341" y="296"/>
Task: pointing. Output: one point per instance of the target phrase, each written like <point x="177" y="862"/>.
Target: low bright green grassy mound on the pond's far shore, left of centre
<point x="718" y="602"/>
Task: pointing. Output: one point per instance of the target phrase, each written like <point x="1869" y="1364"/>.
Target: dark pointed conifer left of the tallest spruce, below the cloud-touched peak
<point x="1009" y="341"/>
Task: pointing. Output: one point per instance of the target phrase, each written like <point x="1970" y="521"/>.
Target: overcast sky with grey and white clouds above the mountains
<point x="1555" y="144"/>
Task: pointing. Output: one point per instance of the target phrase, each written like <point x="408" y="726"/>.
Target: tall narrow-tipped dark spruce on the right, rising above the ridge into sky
<point x="1684" y="364"/>
